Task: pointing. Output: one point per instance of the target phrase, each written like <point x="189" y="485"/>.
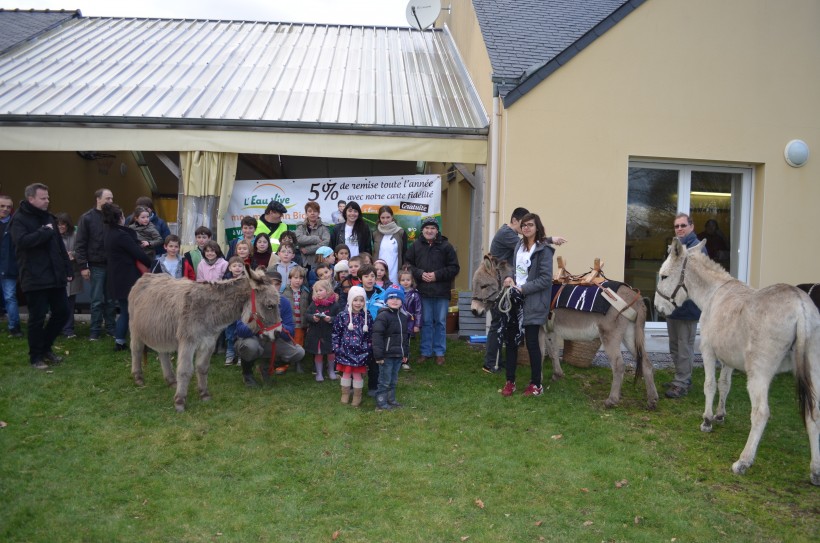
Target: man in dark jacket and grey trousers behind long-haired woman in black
<point x="90" y="255"/>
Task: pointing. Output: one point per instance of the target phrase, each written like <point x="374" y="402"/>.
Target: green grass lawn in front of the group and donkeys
<point x="87" y="456"/>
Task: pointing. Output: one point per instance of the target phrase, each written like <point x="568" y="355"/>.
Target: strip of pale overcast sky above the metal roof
<point x="358" y="12"/>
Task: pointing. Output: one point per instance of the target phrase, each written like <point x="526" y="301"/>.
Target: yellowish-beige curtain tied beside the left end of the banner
<point x="207" y="183"/>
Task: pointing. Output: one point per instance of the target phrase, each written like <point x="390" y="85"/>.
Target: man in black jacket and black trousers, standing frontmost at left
<point x="44" y="270"/>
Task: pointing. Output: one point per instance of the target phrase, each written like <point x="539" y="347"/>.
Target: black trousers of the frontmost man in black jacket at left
<point x="41" y="336"/>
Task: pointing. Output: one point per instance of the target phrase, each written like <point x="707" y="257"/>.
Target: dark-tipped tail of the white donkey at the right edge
<point x="806" y="353"/>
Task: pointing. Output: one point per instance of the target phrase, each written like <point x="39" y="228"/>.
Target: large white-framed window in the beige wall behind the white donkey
<point x="718" y="199"/>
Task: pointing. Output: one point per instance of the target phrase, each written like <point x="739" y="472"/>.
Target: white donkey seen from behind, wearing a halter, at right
<point x="762" y="332"/>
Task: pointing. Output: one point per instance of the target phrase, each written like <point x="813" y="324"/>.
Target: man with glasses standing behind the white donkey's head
<point x="682" y="324"/>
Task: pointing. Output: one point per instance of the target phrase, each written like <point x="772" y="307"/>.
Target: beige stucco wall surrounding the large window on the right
<point x="729" y="82"/>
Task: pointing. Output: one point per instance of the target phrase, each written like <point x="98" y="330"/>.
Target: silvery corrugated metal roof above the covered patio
<point x="240" y="74"/>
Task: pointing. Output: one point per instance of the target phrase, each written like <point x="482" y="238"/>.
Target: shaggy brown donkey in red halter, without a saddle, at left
<point x="189" y="321"/>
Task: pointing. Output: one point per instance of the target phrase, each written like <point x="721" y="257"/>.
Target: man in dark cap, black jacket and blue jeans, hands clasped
<point x="434" y="265"/>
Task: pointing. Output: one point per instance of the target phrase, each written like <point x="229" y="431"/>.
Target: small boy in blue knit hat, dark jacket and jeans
<point x="391" y="347"/>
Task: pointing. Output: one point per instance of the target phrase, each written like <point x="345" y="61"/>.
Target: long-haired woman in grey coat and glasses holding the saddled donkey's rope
<point x="533" y="279"/>
